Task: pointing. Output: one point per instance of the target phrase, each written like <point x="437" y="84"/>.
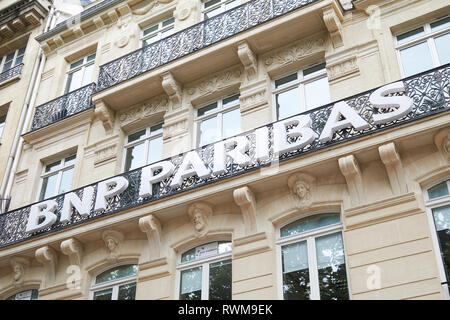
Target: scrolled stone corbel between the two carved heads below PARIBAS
<point x="246" y="200"/>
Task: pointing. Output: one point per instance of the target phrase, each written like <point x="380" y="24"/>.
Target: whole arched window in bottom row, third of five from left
<point x="205" y="272"/>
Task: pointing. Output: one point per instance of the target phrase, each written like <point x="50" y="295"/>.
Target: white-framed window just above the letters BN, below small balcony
<point x="57" y="177"/>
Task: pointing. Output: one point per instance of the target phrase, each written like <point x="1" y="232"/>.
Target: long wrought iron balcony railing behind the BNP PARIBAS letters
<point x="429" y="92"/>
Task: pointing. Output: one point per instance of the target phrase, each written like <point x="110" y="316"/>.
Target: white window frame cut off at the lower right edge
<point x="429" y="206"/>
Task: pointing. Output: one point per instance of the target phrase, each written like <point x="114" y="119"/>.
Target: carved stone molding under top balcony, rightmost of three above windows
<point x="297" y="51"/>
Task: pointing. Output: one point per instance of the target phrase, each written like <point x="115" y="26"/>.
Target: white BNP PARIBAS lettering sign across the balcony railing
<point x="281" y="140"/>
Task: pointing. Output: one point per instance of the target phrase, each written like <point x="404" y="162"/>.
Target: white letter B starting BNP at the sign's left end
<point x="46" y="210"/>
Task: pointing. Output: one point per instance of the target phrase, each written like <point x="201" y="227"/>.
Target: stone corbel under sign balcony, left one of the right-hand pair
<point x="352" y="173"/>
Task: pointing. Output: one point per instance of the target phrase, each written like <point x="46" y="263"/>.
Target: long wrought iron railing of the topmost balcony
<point x="194" y="38"/>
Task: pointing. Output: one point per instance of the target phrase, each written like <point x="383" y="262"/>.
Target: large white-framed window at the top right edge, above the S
<point x="425" y="47"/>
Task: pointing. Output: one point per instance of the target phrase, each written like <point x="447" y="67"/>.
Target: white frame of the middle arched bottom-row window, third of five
<point x="202" y="262"/>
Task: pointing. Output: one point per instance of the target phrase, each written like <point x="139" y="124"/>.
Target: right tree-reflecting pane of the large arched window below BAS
<point x="331" y="267"/>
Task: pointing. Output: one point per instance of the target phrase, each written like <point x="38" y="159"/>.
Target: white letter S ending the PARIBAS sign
<point x="401" y="104"/>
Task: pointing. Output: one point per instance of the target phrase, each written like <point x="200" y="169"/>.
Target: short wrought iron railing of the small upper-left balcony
<point x="63" y="107"/>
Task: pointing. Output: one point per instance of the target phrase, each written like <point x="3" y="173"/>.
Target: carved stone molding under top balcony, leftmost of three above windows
<point x="144" y="111"/>
